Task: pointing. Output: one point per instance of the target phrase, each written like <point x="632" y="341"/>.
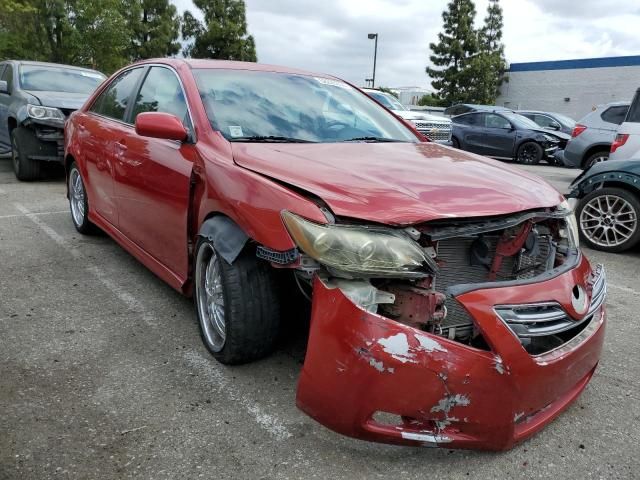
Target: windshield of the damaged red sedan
<point x="251" y="105"/>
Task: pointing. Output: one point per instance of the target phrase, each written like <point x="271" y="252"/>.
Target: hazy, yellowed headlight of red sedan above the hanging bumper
<point x="361" y="251"/>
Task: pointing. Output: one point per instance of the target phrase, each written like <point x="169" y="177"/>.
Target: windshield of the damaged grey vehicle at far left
<point x="59" y="79"/>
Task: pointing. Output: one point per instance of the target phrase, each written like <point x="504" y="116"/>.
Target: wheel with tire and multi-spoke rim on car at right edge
<point x="608" y="219"/>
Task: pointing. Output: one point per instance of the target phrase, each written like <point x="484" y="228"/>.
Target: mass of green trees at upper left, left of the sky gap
<point x="101" y="34"/>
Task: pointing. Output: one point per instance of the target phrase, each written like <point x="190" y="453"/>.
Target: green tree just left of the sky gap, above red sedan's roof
<point x="154" y="27"/>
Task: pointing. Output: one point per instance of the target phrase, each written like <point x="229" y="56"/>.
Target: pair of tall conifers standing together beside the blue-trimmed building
<point x="469" y="64"/>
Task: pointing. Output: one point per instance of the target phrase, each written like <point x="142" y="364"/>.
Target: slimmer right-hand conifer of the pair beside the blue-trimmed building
<point x="490" y="64"/>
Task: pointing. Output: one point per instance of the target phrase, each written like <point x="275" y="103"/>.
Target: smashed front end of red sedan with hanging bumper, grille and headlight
<point x="459" y="333"/>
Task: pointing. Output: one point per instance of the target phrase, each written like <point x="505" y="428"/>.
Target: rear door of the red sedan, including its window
<point x="99" y="133"/>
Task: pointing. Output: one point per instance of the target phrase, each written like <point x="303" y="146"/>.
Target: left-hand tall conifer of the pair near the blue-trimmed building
<point x="454" y="53"/>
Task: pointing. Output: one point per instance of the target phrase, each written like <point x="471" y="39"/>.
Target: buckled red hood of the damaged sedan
<point x="399" y="183"/>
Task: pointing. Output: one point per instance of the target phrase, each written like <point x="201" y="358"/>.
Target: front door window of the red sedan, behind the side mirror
<point x="161" y="92"/>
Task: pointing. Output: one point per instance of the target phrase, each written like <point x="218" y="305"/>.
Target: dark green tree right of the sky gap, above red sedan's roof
<point x="223" y="34"/>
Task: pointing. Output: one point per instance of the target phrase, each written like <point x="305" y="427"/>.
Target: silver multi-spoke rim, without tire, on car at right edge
<point x="608" y="220"/>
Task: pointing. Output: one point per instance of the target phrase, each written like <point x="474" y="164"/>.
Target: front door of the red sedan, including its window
<point x="152" y="176"/>
